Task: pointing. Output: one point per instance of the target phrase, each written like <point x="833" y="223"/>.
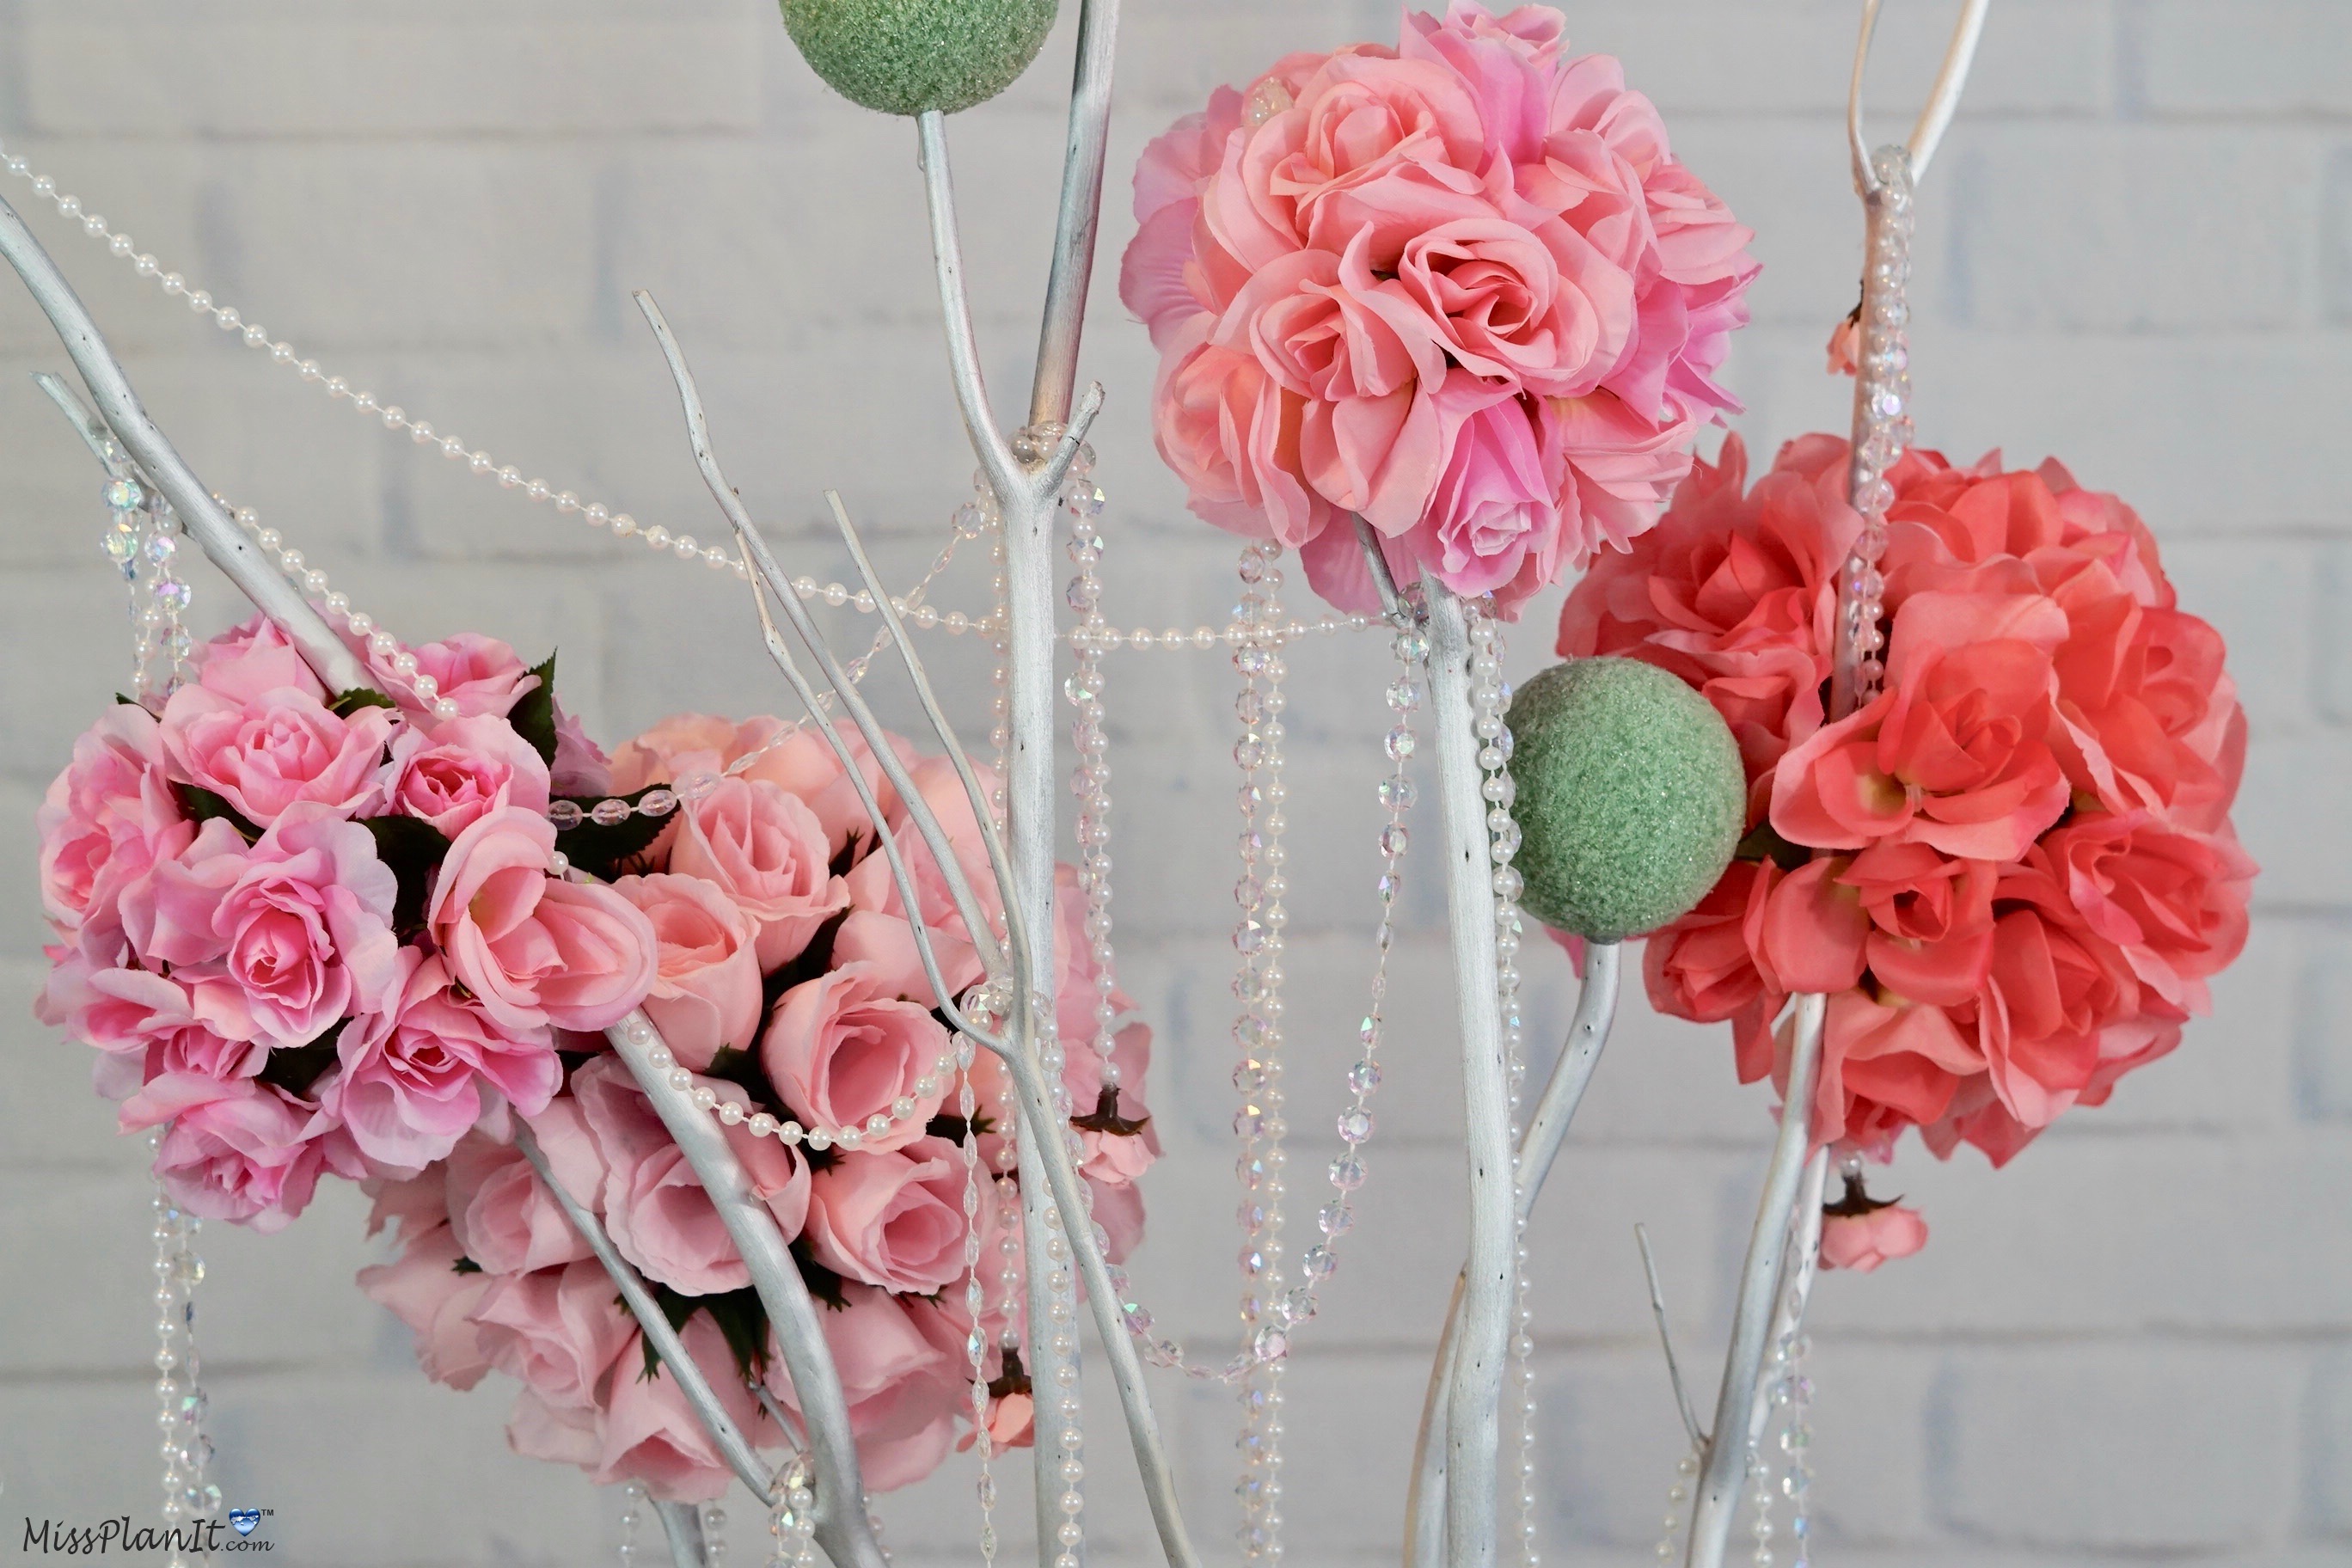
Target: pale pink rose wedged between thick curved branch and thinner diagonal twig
<point x="655" y="1205"/>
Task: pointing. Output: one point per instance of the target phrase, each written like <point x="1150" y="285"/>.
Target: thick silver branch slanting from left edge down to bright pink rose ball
<point x="206" y="521"/>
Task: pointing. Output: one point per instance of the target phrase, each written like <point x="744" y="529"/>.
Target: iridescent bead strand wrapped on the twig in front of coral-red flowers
<point x="1883" y="429"/>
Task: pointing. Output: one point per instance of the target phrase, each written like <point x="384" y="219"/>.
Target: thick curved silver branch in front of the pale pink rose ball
<point x="843" y="1527"/>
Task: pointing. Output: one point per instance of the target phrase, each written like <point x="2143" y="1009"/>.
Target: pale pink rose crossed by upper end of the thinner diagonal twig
<point x="502" y="1214"/>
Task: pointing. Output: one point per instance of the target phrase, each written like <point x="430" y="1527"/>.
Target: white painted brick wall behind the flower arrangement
<point x="2137" y="253"/>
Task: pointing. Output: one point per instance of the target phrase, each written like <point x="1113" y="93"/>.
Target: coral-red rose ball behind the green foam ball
<point x="2014" y="869"/>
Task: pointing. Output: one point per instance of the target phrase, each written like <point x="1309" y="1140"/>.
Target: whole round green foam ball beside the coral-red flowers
<point x="1631" y="798"/>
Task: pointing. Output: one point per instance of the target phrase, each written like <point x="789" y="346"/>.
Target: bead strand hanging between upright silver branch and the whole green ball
<point x="1490" y="699"/>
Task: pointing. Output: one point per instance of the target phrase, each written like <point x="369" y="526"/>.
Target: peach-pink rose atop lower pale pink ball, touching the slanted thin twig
<point x="770" y="855"/>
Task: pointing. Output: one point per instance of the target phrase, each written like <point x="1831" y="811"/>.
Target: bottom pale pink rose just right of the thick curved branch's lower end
<point x="902" y="1383"/>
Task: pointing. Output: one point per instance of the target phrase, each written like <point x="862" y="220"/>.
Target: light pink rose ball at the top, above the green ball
<point x="1457" y="288"/>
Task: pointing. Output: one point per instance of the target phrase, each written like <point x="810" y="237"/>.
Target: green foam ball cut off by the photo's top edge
<point x="914" y="55"/>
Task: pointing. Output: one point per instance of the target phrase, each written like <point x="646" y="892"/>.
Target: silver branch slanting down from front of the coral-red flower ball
<point x="1760" y="1289"/>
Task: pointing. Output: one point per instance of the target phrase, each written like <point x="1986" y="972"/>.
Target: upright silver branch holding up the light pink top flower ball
<point x="1483" y="1351"/>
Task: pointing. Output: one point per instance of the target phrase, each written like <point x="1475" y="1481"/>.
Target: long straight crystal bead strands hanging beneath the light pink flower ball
<point x="1257" y="986"/>
